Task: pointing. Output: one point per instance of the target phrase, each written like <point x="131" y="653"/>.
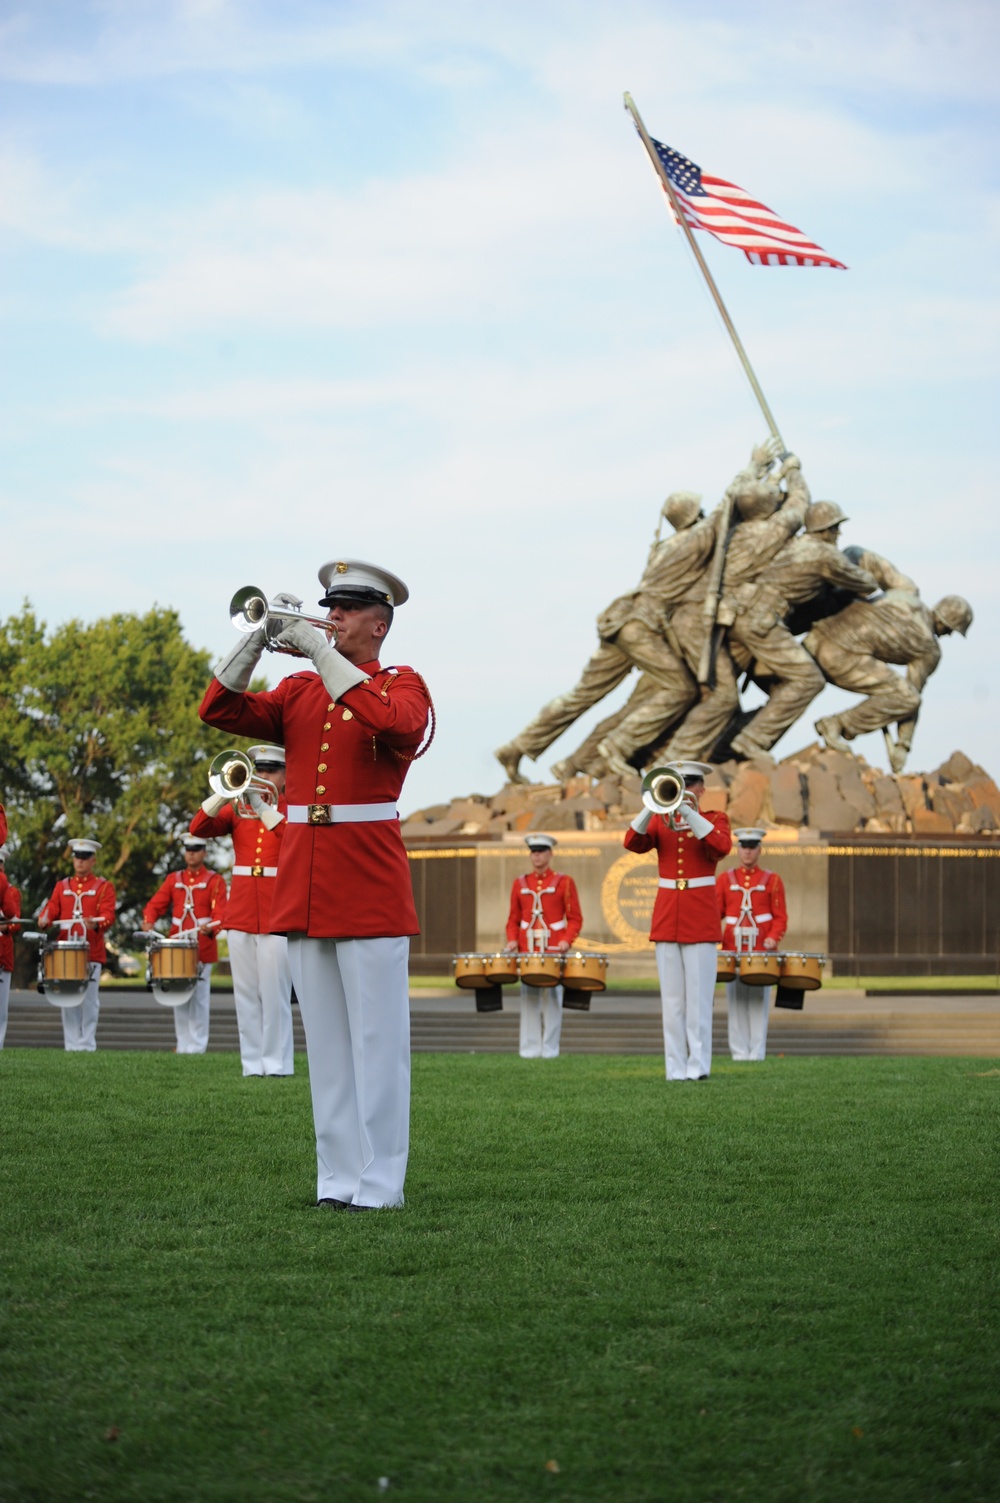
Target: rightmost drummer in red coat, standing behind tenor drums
<point x="754" y="918"/>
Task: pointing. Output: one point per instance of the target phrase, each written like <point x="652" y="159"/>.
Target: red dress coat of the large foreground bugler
<point x="345" y="880"/>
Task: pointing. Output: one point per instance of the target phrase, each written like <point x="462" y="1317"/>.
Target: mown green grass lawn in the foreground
<point x="780" y="1284"/>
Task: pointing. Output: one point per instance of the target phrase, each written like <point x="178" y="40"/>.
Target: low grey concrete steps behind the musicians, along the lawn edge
<point x="950" y="1032"/>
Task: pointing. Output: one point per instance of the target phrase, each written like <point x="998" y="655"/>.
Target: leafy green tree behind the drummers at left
<point x="100" y="736"/>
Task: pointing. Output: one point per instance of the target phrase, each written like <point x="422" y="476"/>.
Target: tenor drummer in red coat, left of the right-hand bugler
<point x="545" y="916"/>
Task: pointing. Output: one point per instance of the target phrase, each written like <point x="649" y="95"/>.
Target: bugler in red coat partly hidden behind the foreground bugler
<point x="262" y="982"/>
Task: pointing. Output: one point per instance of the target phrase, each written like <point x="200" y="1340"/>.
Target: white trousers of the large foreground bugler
<point x="354" y="1000"/>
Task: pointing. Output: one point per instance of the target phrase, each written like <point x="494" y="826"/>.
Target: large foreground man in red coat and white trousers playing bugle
<point x="344" y="894"/>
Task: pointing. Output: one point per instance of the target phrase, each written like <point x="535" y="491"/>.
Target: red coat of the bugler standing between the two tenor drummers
<point x="685" y="915"/>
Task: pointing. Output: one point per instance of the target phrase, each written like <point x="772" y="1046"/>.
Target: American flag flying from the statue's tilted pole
<point x="736" y="219"/>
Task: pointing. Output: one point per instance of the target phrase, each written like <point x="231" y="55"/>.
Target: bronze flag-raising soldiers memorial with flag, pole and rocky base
<point x="756" y="591"/>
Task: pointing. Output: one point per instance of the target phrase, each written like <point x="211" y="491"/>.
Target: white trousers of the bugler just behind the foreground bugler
<point x="262" y="990"/>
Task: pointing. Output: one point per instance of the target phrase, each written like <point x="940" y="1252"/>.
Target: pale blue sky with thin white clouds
<point x="291" y="282"/>
